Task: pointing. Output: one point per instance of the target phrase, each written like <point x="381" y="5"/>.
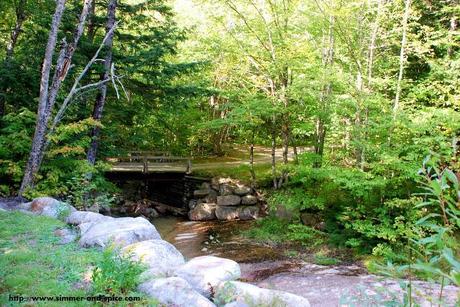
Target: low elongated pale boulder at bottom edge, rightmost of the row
<point x="254" y="296"/>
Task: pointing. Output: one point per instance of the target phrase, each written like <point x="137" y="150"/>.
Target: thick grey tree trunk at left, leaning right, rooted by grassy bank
<point x="40" y="127"/>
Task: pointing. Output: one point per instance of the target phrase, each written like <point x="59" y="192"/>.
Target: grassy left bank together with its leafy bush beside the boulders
<point x="32" y="263"/>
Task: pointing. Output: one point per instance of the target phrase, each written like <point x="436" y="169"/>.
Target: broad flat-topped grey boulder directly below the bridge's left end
<point x="119" y="231"/>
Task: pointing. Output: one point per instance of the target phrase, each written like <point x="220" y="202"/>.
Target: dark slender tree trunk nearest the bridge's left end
<point x="101" y="97"/>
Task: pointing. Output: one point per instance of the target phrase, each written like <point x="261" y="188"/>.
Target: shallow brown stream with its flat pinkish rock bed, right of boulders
<point x="268" y="267"/>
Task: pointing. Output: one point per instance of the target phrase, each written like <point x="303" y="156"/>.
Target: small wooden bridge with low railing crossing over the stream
<point x="150" y="162"/>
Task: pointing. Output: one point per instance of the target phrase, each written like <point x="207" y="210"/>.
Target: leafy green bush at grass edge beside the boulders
<point x="116" y="274"/>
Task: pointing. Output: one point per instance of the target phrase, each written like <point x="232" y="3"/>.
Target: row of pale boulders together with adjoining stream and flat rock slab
<point x="209" y="263"/>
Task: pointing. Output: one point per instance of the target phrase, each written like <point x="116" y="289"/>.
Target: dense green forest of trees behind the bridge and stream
<point x="371" y="87"/>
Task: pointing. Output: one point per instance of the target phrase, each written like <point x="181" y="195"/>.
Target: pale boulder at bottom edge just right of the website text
<point x="174" y="291"/>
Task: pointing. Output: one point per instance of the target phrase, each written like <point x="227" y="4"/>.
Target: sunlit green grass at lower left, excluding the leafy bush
<point x="33" y="264"/>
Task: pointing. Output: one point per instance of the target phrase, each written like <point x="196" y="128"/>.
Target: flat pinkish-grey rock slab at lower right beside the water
<point x="336" y="286"/>
